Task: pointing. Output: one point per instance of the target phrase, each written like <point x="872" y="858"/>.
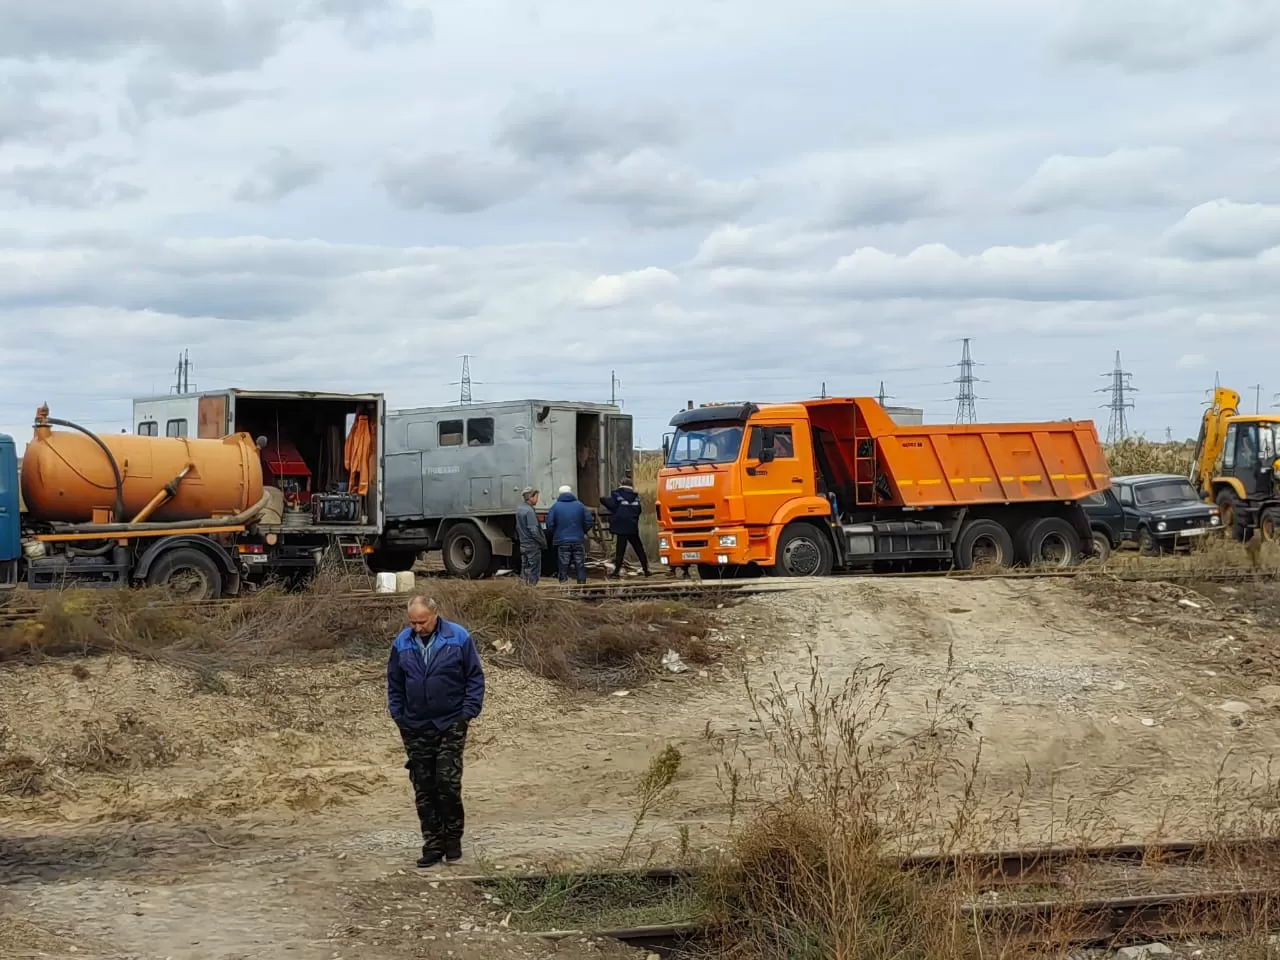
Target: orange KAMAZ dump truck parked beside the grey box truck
<point x="801" y="490"/>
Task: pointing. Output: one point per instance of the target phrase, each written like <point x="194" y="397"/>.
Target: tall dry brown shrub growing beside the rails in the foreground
<point x="810" y="874"/>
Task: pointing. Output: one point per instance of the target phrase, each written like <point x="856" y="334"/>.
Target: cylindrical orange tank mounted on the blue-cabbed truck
<point x="66" y="477"/>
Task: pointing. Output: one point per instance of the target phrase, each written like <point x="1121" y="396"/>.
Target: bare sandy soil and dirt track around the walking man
<point x="149" y="811"/>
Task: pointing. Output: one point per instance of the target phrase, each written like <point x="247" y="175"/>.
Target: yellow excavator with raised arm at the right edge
<point x="1237" y="467"/>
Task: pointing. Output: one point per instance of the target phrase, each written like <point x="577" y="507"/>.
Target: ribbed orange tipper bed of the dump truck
<point x="943" y="465"/>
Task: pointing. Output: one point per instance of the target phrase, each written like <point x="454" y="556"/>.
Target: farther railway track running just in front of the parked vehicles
<point x="20" y="609"/>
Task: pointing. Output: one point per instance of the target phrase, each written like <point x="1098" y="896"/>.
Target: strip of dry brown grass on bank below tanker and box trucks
<point x="588" y="646"/>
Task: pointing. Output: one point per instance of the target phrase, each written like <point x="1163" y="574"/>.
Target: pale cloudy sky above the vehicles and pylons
<point x="715" y="200"/>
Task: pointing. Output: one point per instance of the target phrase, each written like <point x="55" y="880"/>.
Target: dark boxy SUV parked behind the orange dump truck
<point x="1162" y="511"/>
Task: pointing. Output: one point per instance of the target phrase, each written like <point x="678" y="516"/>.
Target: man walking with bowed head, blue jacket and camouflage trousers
<point x="435" y="691"/>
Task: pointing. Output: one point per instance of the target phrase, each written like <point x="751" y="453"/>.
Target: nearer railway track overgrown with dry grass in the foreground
<point x="1236" y="894"/>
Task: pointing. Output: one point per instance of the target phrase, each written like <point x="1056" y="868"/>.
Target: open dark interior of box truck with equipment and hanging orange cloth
<point x="318" y="455"/>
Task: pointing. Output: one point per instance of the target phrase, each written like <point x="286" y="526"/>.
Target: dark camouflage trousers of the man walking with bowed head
<point x="436" y="771"/>
